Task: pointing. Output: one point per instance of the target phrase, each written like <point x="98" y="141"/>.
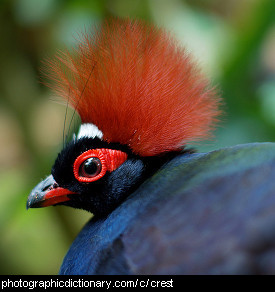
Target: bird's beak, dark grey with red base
<point x="47" y="193"/>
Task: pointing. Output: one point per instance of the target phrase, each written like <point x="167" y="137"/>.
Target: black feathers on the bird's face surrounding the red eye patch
<point x="102" y="196"/>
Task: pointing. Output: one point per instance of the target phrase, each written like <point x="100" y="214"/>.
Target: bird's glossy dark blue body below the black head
<point x="206" y="213"/>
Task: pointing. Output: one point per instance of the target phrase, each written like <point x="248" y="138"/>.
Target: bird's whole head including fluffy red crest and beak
<point x="140" y="98"/>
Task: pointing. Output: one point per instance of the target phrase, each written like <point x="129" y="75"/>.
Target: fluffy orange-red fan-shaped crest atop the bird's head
<point x="138" y="87"/>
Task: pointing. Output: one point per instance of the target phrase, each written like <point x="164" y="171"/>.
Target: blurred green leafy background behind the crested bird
<point x="233" y="40"/>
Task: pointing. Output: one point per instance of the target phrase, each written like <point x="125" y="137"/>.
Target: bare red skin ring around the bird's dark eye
<point x="110" y="160"/>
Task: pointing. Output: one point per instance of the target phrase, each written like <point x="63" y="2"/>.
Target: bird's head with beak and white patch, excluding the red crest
<point x="93" y="175"/>
